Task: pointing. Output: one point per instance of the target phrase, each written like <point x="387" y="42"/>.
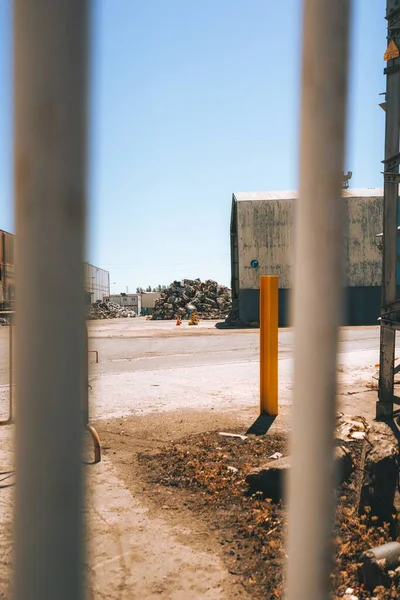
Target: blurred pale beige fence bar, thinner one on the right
<point x="317" y="296"/>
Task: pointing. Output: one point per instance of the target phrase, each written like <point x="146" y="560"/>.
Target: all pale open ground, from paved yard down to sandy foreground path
<point x="156" y="384"/>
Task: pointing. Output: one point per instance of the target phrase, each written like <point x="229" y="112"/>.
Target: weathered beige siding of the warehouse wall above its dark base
<point x="265" y="232"/>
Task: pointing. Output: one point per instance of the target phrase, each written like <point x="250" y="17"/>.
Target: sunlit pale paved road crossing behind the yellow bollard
<point x="150" y="366"/>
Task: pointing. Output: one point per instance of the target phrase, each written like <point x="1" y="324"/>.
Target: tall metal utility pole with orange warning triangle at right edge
<point x="389" y="318"/>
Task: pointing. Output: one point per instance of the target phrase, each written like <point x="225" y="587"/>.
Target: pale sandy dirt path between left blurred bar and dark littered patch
<point x="162" y="551"/>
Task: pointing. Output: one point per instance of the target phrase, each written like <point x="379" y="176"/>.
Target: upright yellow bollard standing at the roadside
<point x="269" y="346"/>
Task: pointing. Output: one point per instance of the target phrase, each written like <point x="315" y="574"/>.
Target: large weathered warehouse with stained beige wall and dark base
<point x="262" y="244"/>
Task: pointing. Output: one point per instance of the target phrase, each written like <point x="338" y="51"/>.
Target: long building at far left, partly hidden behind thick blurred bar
<point x="97" y="281"/>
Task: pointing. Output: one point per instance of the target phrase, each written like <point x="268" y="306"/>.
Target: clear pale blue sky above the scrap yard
<point x="191" y="101"/>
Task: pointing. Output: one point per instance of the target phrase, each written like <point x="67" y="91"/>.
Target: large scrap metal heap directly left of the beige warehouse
<point x="212" y="301"/>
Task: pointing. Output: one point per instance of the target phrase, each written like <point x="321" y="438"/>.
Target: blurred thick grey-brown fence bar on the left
<point x="50" y="79"/>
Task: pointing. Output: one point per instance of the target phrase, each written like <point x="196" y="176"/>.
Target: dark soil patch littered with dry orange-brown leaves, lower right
<point x="252" y="528"/>
